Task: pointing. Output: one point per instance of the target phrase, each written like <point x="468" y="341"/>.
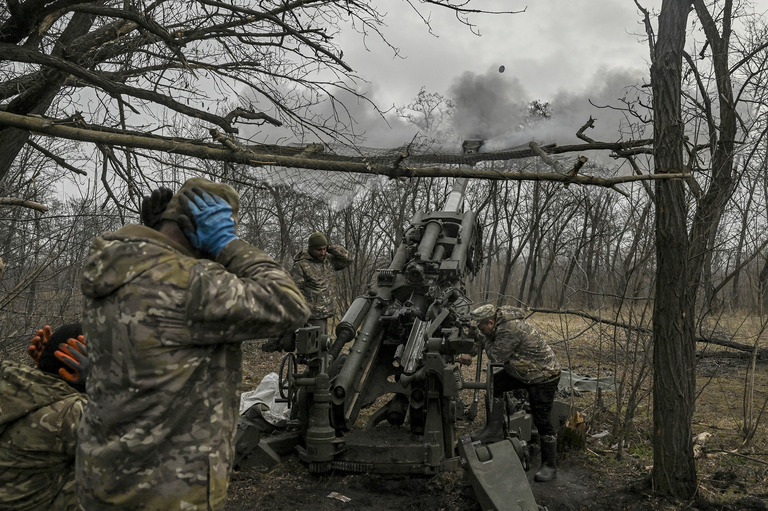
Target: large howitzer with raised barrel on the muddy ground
<point x="406" y="332"/>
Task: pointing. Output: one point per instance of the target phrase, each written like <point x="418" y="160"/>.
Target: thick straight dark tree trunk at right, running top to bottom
<point x="674" y="384"/>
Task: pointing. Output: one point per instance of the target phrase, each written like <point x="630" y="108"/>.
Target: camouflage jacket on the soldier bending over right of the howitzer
<point x="515" y="343"/>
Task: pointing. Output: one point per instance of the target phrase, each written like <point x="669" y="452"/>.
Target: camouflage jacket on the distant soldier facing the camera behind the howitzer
<point x="315" y="278"/>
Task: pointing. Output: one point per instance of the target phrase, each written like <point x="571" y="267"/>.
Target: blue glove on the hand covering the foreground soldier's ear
<point x="208" y="222"/>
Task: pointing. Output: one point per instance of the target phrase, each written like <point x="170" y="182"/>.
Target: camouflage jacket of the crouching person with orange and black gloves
<point x="39" y="417"/>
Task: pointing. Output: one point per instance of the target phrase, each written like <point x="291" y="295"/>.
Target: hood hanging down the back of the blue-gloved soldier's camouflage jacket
<point x="117" y="258"/>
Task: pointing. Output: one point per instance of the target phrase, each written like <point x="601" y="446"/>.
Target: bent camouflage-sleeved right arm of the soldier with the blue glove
<point x="245" y="294"/>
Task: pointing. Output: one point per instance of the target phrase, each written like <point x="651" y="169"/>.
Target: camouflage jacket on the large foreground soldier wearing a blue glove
<point x="164" y="332"/>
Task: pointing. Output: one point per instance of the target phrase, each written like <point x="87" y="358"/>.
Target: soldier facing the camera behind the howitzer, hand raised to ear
<point x="313" y="272"/>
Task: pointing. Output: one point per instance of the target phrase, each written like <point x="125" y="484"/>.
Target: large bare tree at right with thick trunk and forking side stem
<point x="683" y="258"/>
